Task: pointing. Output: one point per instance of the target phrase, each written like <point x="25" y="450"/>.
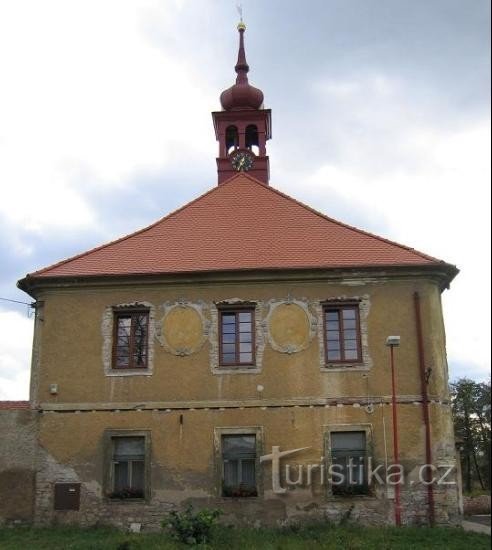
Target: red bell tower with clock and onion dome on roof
<point x="243" y="126"/>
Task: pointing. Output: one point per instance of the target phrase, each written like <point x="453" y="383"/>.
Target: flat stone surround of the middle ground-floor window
<point x="256" y="431"/>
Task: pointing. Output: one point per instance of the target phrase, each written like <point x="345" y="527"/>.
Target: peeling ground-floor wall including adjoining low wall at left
<point x="40" y="449"/>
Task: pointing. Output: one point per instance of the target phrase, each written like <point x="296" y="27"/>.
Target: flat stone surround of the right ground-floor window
<point x="331" y="429"/>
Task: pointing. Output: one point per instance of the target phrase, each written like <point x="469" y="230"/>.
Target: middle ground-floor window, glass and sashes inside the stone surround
<point x="239" y="465"/>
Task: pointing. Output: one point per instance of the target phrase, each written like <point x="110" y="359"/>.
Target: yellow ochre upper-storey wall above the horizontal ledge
<point x="70" y="343"/>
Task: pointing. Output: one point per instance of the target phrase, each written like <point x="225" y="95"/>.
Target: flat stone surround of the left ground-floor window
<point x="108" y="481"/>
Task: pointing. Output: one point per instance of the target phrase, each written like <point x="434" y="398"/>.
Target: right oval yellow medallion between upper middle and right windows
<point x="289" y="327"/>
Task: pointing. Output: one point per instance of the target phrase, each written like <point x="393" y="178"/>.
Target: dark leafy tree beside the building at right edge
<point x="471" y="413"/>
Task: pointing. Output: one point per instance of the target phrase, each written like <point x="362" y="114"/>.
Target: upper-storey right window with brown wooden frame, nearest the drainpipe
<point x="342" y="333"/>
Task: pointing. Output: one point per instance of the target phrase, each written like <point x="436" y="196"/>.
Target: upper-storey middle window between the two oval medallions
<point x="236" y="334"/>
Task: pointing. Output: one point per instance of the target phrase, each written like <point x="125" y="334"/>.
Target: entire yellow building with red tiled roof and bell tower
<point x="232" y="355"/>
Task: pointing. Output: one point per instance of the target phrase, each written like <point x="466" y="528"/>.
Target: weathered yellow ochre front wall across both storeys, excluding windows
<point x="187" y="398"/>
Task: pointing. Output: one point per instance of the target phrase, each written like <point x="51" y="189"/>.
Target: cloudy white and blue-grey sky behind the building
<point x="381" y="119"/>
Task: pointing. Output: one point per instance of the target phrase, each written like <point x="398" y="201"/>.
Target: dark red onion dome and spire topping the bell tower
<point x="241" y="96"/>
